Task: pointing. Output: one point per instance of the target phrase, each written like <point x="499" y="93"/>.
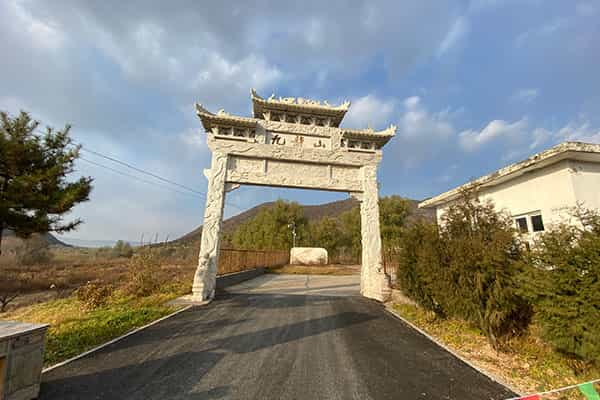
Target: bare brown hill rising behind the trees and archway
<point x="312" y="213"/>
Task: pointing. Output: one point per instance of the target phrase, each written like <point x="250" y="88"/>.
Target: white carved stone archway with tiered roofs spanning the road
<point x="295" y="143"/>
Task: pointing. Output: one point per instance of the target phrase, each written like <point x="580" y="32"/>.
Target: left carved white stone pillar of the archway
<point x="205" y="278"/>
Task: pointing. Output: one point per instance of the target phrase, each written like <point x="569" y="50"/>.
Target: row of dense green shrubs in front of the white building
<point x="473" y="266"/>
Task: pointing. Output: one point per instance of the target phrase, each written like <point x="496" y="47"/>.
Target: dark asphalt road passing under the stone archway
<point x="276" y="337"/>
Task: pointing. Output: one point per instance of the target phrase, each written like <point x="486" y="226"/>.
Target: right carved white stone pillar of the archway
<point x="373" y="281"/>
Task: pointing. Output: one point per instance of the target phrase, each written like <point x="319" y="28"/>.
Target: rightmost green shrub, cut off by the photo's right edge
<point x="564" y="285"/>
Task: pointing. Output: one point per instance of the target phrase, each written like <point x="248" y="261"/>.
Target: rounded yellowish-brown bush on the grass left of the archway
<point x="144" y="275"/>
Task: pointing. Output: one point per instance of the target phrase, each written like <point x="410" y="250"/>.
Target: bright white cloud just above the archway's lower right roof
<point x="370" y="111"/>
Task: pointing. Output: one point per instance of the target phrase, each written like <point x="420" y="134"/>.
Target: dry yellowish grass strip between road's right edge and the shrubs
<point x="527" y="364"/>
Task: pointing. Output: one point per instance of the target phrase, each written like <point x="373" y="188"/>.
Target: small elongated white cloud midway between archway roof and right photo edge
<point x="471" y="140"/>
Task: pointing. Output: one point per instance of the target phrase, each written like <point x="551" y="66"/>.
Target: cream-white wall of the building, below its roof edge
<point x="549" y="191"/>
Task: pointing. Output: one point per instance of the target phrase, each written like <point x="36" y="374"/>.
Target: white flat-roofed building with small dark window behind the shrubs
<point x="539" y="191"/>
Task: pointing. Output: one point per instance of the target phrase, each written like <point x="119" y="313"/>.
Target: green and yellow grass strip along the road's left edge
<point x="74" y="330"/>
